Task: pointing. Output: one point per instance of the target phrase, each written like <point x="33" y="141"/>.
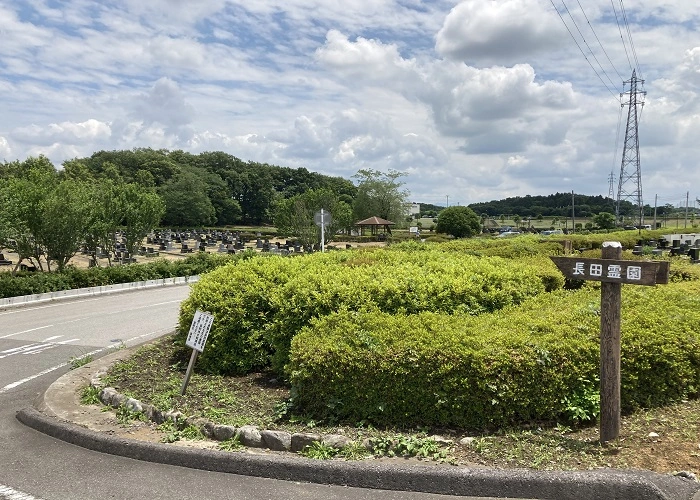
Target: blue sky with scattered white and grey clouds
<point x="473" y="101"/>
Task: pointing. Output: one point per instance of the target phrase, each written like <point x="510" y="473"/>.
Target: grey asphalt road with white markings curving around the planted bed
<point x="37" y="344"/>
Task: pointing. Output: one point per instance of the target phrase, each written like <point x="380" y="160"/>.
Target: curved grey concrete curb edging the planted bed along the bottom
<point x="515" y="483"/>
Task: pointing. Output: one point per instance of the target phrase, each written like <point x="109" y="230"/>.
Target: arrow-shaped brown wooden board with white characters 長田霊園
<point x="631" y="272"/>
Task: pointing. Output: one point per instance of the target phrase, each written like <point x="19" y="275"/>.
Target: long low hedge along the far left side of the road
<point x="71" y="277"/>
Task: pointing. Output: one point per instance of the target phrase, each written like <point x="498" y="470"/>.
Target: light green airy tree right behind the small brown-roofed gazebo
<point x="380" y="194"/>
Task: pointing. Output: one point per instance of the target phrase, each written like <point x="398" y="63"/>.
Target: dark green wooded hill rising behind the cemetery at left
<point x="210" y="188"/>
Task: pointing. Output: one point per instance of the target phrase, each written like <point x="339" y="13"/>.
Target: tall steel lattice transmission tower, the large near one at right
<point x="629" y="186"/>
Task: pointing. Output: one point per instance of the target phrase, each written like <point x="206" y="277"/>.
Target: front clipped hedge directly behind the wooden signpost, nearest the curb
<point x="536" y="361"/>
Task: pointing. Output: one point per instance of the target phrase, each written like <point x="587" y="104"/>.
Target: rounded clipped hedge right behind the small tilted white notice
<point x="261" y="304"/>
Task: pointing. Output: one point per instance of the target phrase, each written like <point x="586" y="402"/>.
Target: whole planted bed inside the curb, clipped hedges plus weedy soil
<point x="466" y="352"/>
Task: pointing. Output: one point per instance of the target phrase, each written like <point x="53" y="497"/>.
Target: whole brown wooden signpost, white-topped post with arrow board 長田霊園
<point x="612" y="272"/>
